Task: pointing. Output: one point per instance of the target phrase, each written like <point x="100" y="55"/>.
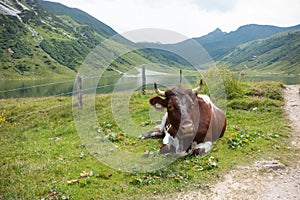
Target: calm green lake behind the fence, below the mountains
<point x="45" y="88"/>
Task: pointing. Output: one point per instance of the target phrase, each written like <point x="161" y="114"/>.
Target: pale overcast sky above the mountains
<point x="188" y="18"/>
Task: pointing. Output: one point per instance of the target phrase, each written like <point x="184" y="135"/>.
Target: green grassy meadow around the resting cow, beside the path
<point x="42" y="156"/>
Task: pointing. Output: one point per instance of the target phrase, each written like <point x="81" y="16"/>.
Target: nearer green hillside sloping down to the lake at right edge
<point x="276" y="54"/>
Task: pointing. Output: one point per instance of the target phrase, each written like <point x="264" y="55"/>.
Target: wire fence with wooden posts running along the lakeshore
<point x="67" y="92"/>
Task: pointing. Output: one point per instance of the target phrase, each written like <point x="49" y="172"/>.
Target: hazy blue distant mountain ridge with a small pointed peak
<point x="219" y="44"/>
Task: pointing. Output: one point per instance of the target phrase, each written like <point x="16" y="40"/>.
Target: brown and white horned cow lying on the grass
<point x="190" y="125"/>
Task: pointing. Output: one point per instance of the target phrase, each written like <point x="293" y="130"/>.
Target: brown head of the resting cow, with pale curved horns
<point x="183" y="112"/>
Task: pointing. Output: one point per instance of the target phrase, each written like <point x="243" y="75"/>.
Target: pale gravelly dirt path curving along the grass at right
<point x="265" y="179"/>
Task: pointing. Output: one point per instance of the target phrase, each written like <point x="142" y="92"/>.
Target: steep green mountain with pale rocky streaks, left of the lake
<point x="40" y="39"/>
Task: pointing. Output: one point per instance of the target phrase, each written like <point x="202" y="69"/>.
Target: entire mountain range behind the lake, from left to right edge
<point x="40" y="39"/>
